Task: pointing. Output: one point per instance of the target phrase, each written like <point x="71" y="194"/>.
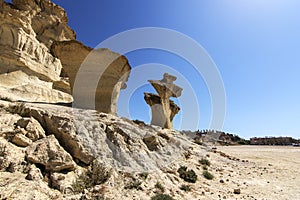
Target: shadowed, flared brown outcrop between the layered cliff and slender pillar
<point x="87" y="66"/>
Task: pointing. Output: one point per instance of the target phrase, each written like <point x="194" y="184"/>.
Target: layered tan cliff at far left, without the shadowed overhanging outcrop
<point x="27" y="68"/>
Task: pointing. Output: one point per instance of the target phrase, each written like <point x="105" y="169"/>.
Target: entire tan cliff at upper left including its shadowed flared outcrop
<point x="40" y="59"/>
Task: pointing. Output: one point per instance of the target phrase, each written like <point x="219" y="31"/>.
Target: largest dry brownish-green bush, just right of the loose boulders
<point x="96" y="175"/>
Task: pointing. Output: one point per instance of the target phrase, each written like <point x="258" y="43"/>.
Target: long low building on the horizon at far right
<point x="272" y="141"/>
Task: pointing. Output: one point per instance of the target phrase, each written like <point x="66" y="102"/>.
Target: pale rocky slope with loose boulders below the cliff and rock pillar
<point x="43" y="143"/>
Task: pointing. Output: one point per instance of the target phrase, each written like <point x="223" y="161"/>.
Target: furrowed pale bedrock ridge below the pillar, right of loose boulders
<point x="120" y="143"/>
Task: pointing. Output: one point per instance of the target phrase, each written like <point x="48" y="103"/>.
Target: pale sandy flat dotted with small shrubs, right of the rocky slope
<point x="259" y="172"/>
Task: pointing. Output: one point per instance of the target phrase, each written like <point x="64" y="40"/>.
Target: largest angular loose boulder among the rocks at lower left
<point x="50" y="154"/>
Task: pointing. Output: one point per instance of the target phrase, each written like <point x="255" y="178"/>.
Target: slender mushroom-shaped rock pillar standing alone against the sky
<point x="163" y="109"/>
